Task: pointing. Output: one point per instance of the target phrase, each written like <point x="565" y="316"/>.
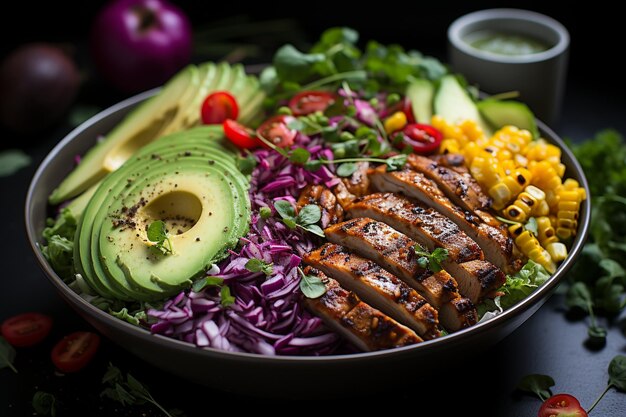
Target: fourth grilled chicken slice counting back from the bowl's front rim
<point x="424" y="225"/>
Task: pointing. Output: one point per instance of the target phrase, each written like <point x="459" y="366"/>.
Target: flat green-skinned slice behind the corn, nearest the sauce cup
<point x="501" y="113"/>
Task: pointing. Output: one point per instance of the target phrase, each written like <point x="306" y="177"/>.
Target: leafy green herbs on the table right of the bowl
<point x="598" y="278"/>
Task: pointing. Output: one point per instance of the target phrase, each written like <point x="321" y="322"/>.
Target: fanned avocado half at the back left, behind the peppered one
<point x="175" y="108"/>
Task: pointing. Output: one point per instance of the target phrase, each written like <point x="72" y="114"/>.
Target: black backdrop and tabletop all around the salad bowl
<point x="550" y="342"/>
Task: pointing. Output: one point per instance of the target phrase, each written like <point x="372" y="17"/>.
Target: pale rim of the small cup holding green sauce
<point x="456" y="33"/>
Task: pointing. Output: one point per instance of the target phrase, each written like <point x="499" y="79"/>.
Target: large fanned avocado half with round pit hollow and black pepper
<point x="188" y="180"/>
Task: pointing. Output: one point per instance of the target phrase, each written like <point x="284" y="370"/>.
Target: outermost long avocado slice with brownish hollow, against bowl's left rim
<point x="138" y="128"/>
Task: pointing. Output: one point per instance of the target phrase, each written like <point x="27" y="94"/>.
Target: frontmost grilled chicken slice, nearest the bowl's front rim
<point x="367" y="328"/>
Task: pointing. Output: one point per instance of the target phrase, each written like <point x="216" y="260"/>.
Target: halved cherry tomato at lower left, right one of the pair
<point x="75" y="351"/>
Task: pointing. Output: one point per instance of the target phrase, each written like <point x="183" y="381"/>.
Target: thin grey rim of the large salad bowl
<point x="457" y="337"/>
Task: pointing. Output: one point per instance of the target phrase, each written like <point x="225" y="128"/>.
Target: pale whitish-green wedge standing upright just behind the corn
<point x="453" y="103"/>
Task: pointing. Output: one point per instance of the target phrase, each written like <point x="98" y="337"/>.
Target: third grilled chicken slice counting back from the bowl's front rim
<point x="395" y="252"/>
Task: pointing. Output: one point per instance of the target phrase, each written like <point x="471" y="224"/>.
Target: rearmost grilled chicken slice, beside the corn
<point x="453" y="184"/>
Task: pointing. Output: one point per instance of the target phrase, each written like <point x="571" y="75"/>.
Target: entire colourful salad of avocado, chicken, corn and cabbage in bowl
<point x="344" y="200"/>
